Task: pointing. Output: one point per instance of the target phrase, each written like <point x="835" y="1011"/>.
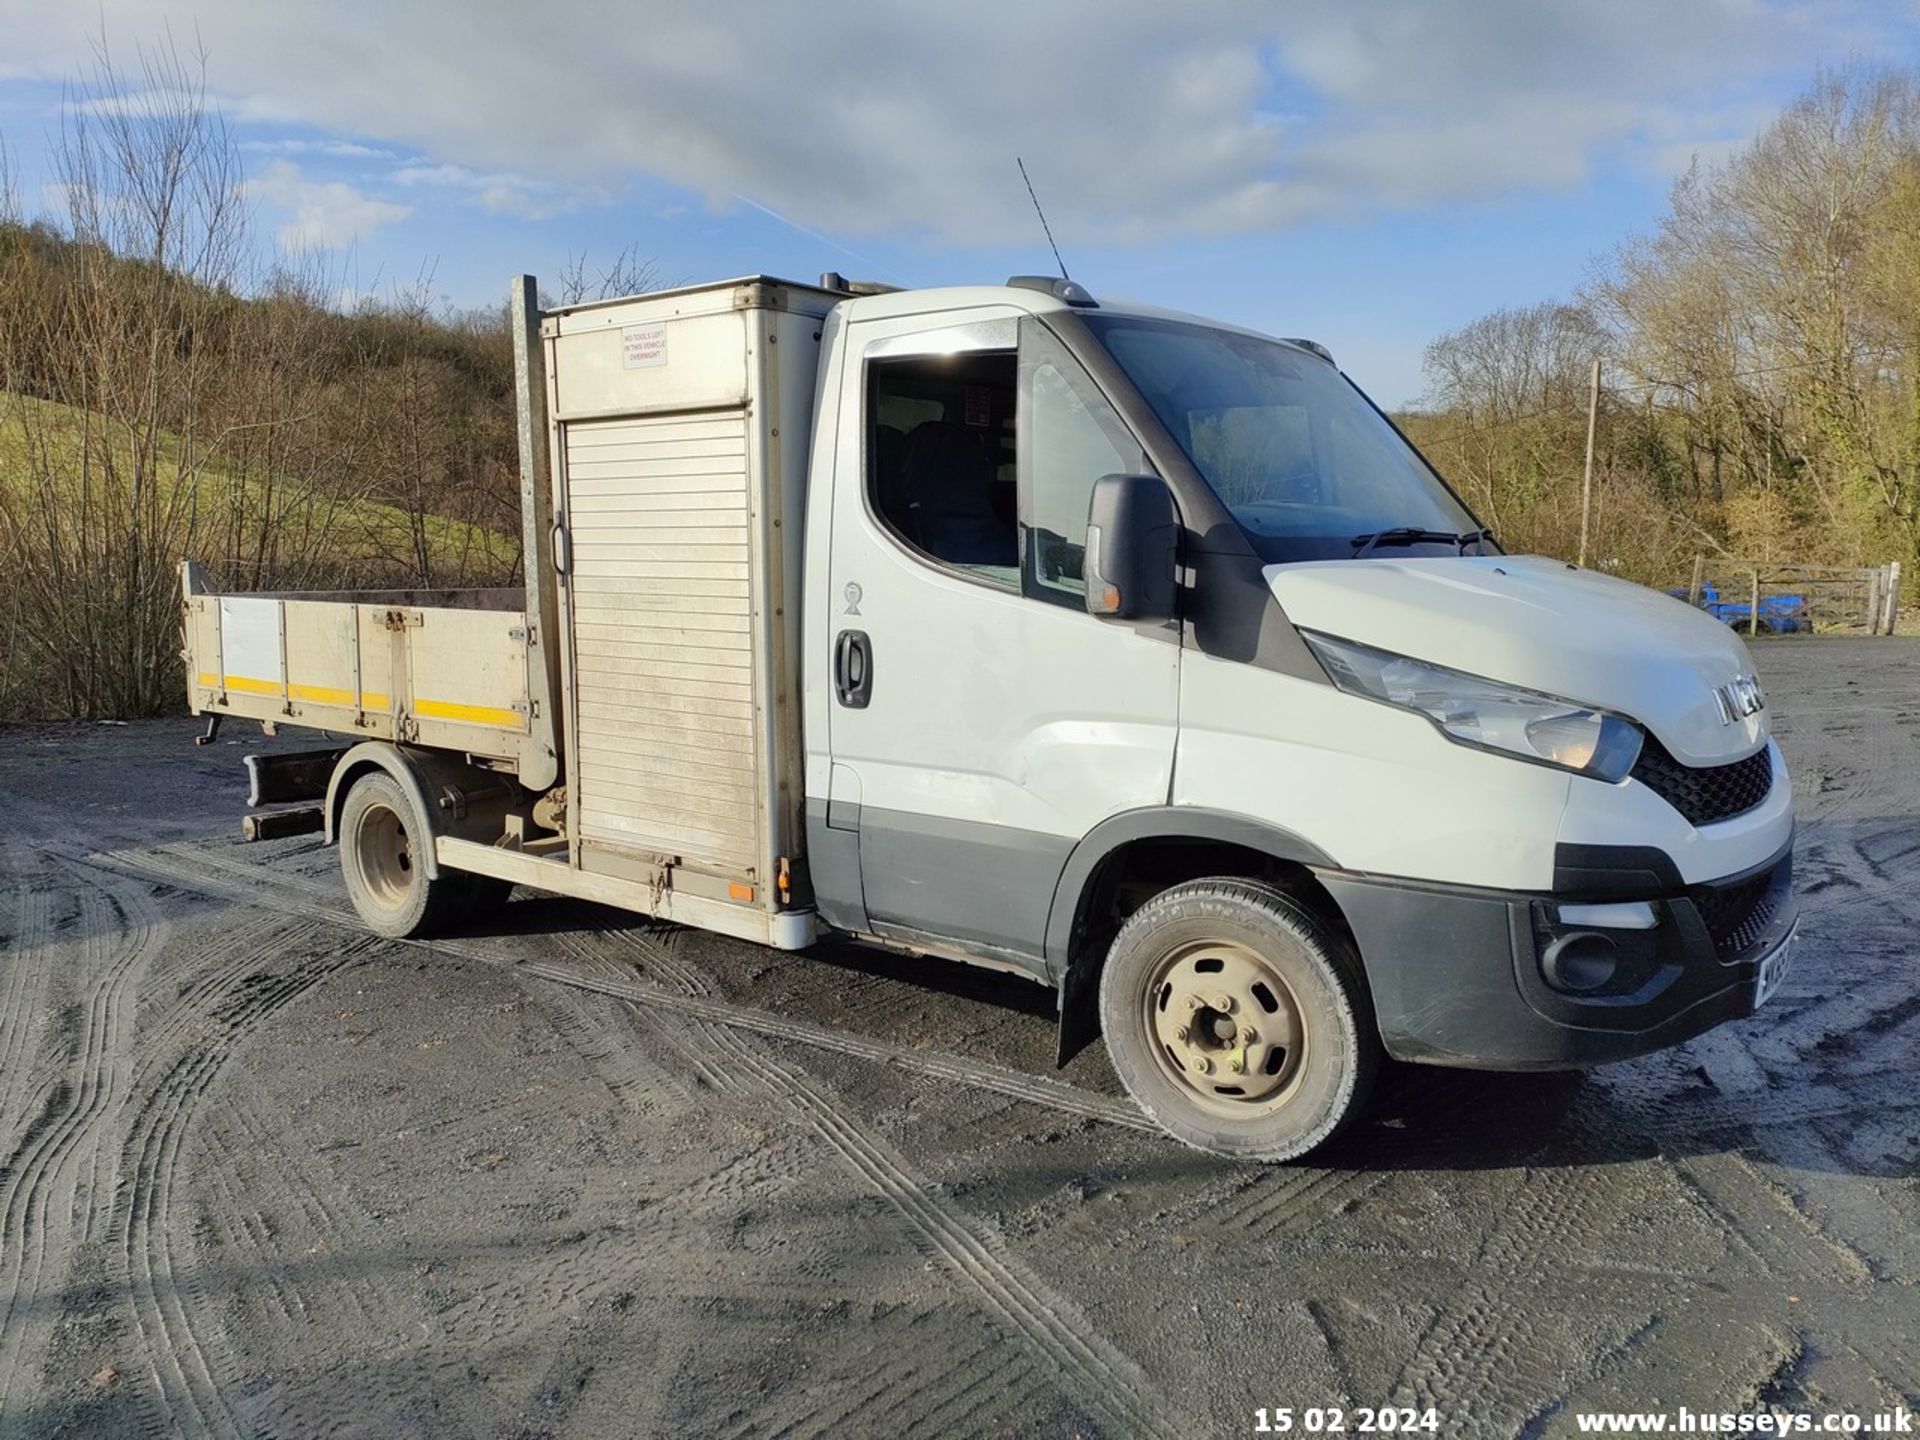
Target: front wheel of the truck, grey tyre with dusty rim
<point x="1239" y="1020"/>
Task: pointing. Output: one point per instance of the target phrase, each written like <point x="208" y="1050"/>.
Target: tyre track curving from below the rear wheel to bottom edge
<point x="170" y="1308"/>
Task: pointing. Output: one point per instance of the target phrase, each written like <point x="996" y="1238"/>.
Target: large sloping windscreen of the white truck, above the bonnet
<point x="1301" y="460"/>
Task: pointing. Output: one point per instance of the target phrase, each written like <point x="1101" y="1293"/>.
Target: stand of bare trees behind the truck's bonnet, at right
<point x="1764" y="358"/>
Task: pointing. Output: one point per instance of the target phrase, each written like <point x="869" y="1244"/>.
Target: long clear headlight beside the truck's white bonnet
<point x="1485" y="713"/>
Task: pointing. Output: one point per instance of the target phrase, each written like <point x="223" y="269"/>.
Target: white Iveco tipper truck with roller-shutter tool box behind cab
<point x="1120" y="650"/>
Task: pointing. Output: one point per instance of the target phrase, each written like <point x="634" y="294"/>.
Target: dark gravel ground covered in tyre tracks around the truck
<point x="587" y="1176"/>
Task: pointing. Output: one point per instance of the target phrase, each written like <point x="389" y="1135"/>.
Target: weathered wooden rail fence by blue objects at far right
<point x="1771" y="598"/>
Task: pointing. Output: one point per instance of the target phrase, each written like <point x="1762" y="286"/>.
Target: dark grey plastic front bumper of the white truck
<point x="1479" y="978"/>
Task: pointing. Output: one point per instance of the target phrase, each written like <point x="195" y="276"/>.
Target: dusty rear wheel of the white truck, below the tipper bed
<point x="383" y="848"/>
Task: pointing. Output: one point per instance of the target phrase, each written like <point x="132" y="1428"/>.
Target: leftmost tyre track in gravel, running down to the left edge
<point x="43" y="1182"/>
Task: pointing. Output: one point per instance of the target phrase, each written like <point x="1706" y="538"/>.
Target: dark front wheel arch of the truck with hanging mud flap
<point x="1189" y="842"/>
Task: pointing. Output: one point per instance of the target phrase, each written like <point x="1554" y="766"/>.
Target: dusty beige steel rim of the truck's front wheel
<point x="1241" y="1059"/>
